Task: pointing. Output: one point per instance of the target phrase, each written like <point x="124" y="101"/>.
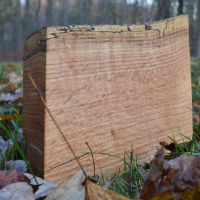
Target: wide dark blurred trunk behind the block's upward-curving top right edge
<point x="163" y="9"/>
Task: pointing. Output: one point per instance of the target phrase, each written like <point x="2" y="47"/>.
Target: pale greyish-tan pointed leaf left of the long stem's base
<point x="70" y="189"/>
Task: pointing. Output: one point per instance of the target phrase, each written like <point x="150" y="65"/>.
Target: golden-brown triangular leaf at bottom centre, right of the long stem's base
<point x="94" y="191"/>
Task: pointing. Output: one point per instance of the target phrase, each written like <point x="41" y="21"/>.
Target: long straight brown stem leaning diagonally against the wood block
<point x="53" y="119"/>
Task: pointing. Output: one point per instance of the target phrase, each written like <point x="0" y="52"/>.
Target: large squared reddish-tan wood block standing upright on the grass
<point x="110" y="86"/>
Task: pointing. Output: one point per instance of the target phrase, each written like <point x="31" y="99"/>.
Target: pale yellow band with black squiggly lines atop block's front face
<point x="158" y="29"/>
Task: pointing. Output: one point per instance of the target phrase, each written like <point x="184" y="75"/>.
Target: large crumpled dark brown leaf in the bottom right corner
<point x="173" y="178"/>
